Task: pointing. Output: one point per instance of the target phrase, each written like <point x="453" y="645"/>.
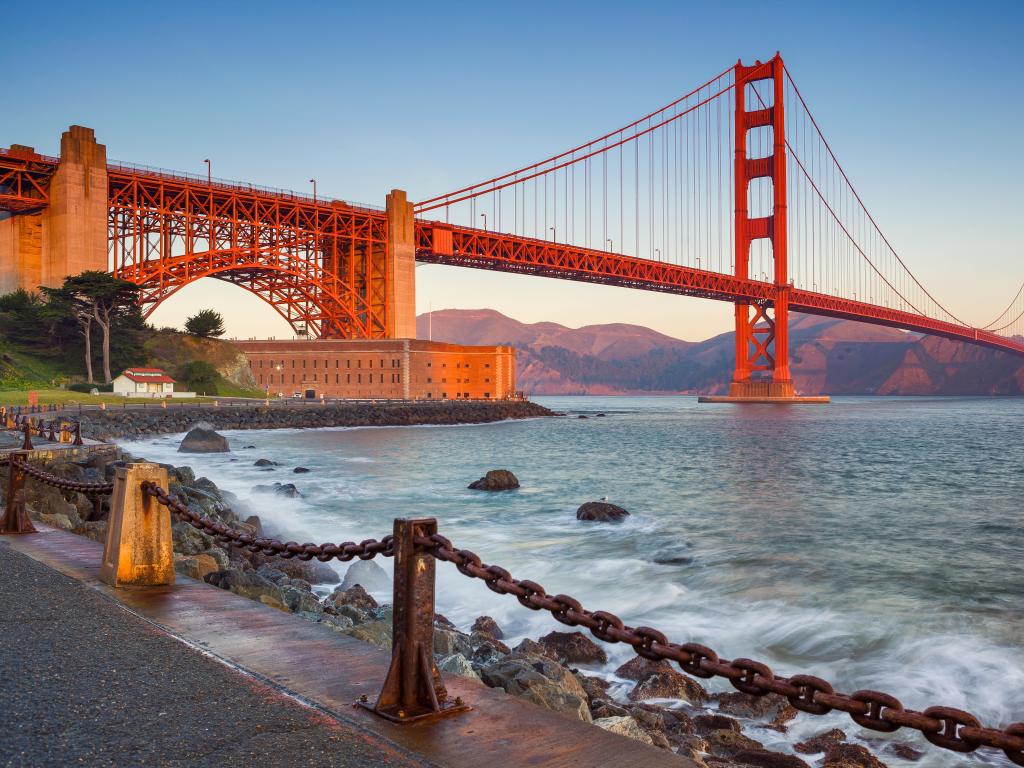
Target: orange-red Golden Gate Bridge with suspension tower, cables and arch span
<point x="730" y="193"/>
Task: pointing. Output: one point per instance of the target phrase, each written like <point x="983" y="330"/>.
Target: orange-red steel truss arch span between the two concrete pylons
<point x="166" y="233"/>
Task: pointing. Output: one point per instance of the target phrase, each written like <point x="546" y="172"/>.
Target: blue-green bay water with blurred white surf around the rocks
<point x="878" y="543"/>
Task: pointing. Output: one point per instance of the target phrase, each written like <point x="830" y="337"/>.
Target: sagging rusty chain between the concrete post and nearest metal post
<point x="366" y="550"/>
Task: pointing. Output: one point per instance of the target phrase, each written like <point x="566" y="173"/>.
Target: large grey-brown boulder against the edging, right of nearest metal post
<point x="542" y="681"/>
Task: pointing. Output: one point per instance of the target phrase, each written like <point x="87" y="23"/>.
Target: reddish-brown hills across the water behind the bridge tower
<point x="828" y="357"/>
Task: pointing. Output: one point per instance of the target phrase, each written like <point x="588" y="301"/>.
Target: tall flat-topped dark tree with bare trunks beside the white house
<point x="95" y="297"/>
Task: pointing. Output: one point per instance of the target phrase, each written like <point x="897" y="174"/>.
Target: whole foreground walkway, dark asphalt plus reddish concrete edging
<point x="193" y="675"/>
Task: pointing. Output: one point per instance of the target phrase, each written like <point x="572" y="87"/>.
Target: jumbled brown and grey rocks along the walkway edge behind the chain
<point x="650" y="702"/>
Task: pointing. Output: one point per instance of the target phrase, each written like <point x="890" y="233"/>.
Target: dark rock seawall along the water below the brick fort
<point x="116" y="424"/>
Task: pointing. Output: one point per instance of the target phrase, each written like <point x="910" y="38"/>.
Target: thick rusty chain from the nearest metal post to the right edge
<point x="944" y="727"/>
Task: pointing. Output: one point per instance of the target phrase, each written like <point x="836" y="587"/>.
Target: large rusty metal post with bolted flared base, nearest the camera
<point x="413" y="690"/>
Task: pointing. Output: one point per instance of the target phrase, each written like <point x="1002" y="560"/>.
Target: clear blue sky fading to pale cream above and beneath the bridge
<point x="922" y="103"/>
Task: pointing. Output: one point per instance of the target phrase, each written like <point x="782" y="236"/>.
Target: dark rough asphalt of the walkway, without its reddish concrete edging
<point x="86" y="682"/>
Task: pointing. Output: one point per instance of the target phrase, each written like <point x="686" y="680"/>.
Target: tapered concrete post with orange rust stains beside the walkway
<point x="140" y="549"/>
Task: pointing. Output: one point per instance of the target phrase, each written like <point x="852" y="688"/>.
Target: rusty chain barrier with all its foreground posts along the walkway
<point x="139" y="552"/>
